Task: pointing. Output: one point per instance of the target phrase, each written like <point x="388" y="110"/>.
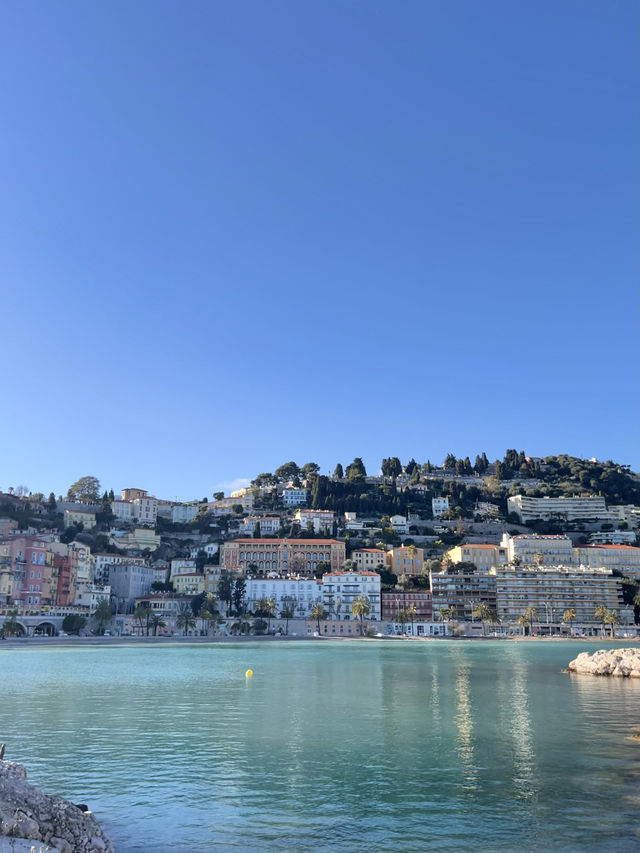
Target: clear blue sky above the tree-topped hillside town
<point x="234" y="234"/>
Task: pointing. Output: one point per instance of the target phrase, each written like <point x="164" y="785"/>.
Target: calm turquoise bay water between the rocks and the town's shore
<point x="351" y="746"/>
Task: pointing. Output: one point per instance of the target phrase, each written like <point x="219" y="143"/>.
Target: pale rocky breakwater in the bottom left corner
<point x="46" y="823"/>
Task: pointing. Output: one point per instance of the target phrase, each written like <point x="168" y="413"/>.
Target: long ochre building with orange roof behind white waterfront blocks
<point x="284" y="556"/>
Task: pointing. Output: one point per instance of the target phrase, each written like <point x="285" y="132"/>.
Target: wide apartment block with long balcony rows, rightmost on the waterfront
<point x="551" y="590"/>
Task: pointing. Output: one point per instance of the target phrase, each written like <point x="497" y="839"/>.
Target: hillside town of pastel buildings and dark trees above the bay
<point x="520" y="546"/>
